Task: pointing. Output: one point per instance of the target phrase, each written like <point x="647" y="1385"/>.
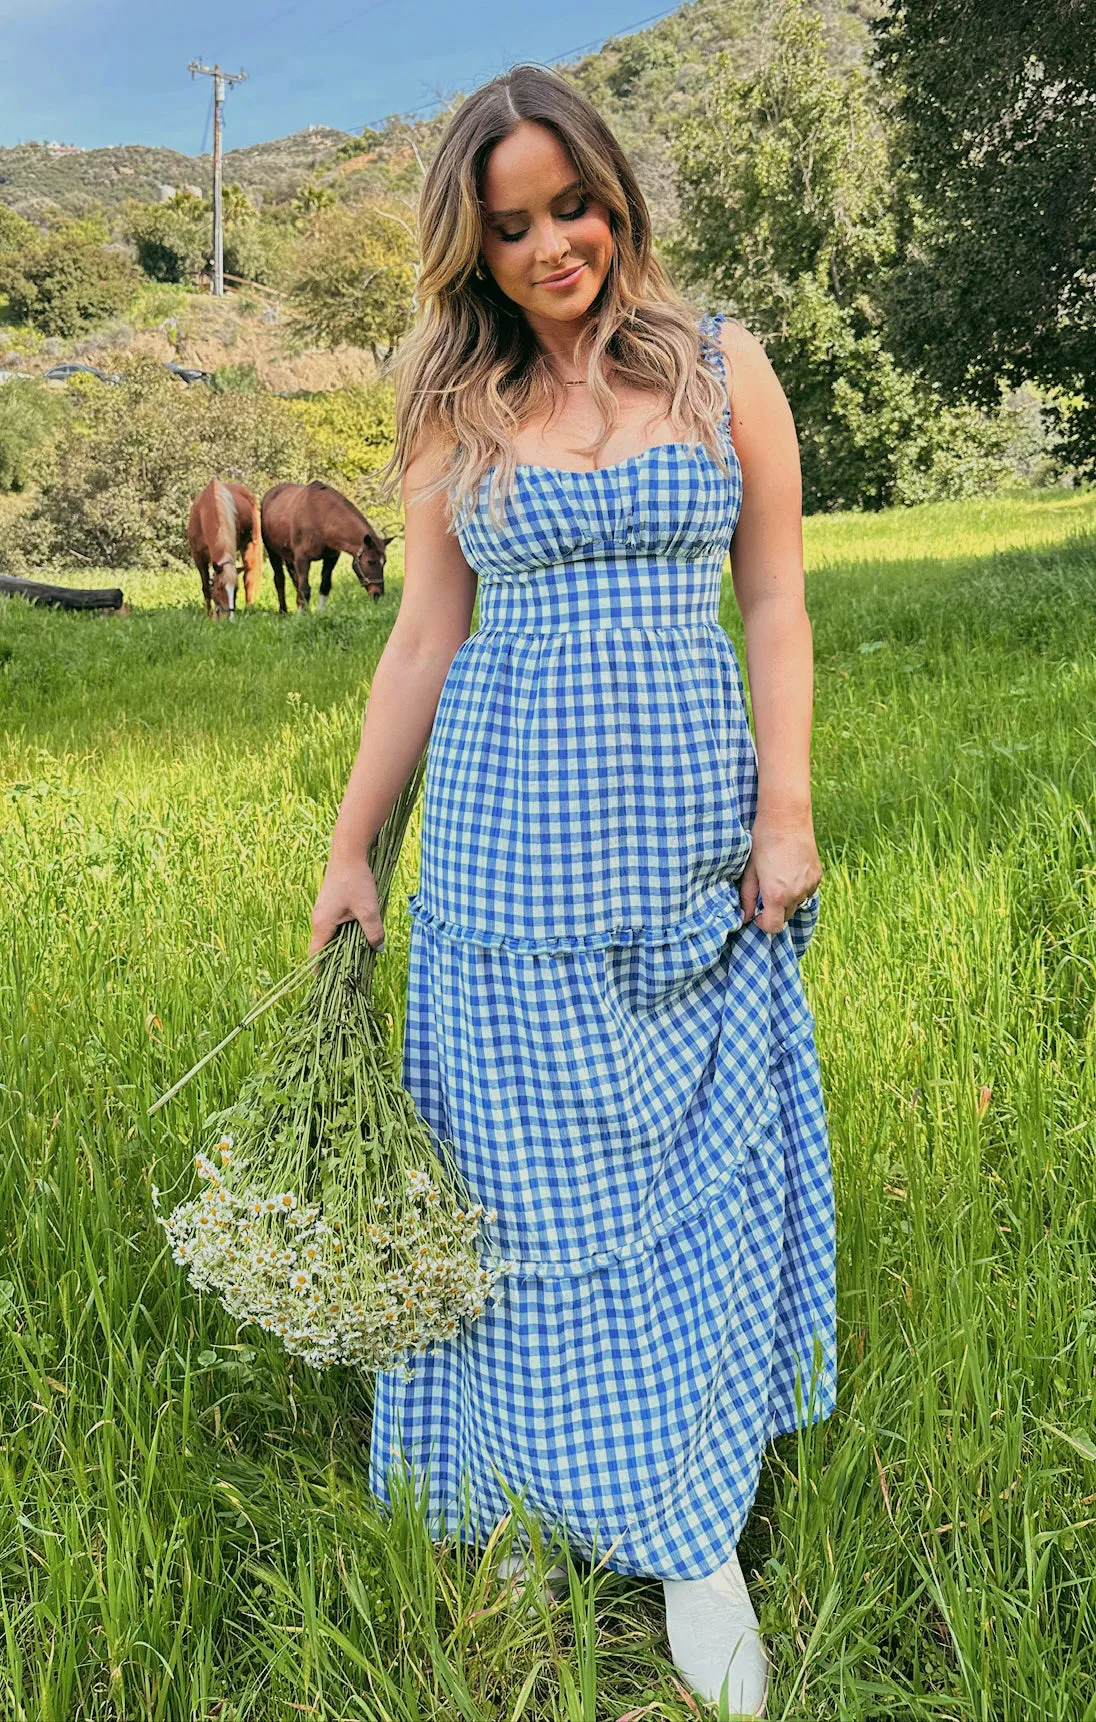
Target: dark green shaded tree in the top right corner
<point x="997" y="121"/>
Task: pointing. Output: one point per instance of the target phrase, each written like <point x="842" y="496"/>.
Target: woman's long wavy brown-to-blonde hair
<point x="471" y="371"/>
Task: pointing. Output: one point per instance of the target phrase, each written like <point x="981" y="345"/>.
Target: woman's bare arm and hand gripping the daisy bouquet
<point x="433" y="621"/>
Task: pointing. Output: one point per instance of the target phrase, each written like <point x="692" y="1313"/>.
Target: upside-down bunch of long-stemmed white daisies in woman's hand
<point x="328" y="1213"/>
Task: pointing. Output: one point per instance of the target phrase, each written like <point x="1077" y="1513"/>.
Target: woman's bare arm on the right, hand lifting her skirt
<point x="768" y="573"/>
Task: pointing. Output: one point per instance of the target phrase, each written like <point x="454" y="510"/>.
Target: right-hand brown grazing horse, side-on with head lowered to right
<point x="304" y="523"/>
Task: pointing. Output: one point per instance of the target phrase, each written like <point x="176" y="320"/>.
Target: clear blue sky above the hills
<point x="115" y="71"/>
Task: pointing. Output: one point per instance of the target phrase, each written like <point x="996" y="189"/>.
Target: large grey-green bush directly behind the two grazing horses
<point x="118" y="483"/>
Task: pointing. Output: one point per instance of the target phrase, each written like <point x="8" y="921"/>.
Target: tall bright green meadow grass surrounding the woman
<point x="185" y="1520"/>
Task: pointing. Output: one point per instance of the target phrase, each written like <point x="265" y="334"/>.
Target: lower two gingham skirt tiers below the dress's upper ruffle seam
<point x="644" y="1112"/>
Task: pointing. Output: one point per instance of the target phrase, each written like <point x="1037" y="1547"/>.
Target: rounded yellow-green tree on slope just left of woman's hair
<point x="356" y="280"/>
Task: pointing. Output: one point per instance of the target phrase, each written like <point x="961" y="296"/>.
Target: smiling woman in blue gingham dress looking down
<point x="606" y="1015"/>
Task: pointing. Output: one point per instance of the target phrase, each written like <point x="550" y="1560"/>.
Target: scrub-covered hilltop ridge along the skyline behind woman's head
<point x="642" y="84"/>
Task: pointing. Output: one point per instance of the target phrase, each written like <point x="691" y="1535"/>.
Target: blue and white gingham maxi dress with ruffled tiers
<point x="623" y="1070"/>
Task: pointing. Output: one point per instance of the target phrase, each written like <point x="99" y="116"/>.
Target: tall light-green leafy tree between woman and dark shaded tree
<point x="788" y="221"/>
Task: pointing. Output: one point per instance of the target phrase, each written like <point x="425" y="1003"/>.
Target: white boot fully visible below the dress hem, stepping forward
<point x="716" y="1638"/>
